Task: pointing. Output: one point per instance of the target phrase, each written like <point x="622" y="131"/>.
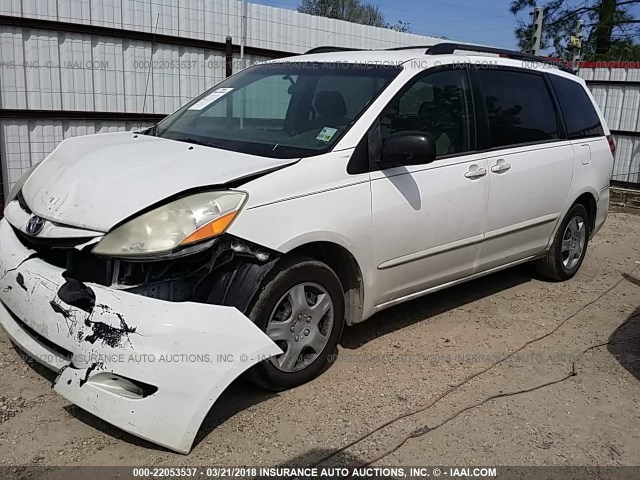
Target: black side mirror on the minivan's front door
<point x="409" y="148"/>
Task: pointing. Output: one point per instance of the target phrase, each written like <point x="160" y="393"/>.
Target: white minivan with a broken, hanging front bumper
<point x="243" y="232"/>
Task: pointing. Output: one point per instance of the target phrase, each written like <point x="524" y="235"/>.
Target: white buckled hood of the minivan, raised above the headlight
<point x="97" y="181"/>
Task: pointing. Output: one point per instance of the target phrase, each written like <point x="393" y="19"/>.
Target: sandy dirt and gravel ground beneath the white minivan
<point x="401" y="360"/>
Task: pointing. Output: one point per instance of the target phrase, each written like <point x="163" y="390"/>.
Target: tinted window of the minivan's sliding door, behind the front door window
<point x="519" y="108"/>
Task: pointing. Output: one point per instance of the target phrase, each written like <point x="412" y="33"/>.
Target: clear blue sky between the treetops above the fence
<point x="487" y="22"/>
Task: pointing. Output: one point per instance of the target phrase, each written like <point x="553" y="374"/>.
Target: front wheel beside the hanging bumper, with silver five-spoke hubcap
<point x="301" y="308"/>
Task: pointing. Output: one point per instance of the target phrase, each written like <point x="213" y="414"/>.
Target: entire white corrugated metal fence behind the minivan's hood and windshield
<point x="53" y="69"/>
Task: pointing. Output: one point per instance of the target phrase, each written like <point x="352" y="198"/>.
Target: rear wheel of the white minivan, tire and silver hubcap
<point x="569" y="247"/>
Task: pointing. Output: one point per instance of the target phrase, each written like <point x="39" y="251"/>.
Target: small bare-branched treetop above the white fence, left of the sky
<point x="350" y="10"/>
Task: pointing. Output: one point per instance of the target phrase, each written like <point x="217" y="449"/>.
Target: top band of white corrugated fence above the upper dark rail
<point x="268" y="27"/>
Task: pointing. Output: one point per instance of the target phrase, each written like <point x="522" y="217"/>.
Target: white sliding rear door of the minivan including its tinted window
<point x="530" y="163"/>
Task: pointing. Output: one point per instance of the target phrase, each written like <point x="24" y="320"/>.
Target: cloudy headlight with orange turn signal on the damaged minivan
<point x="180" y="223"/>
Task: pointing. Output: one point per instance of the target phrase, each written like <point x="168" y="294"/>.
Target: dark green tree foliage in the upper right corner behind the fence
<point x="611" y="30"/>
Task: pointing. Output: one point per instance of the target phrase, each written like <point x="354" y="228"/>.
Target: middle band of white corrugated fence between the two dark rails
<point x="78" y="72"/>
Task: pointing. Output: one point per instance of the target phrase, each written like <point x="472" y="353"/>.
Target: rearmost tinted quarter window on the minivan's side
<point x="579" y="113"/>
